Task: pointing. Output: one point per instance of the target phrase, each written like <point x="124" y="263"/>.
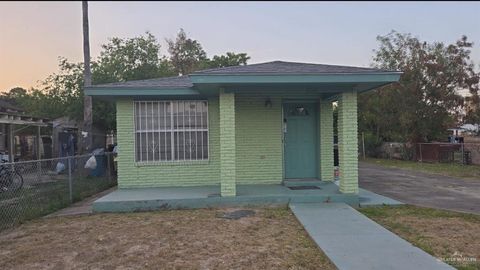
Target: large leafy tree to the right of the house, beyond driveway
<point x="425" y="102"/>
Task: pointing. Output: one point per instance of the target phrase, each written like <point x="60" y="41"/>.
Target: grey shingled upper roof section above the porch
<point x="281" y="67"/>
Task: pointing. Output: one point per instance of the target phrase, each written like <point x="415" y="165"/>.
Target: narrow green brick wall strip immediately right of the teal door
<point x="326" y="141"/>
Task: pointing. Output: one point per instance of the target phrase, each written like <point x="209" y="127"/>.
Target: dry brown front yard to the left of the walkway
<point x="186" y="239"/>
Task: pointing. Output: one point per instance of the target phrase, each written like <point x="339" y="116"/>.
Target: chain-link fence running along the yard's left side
<point x="31" y="189"/>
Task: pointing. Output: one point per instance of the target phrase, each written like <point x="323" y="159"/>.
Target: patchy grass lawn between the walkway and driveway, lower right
<point x="443" y="234"/>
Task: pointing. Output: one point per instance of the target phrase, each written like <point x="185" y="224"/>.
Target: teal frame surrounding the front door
<point x="317" y="132"/>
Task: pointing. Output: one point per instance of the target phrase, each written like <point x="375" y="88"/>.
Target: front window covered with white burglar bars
<point x="171" y="130"/>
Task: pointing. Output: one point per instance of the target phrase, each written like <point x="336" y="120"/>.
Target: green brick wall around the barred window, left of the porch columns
<point x="173" y="174"/>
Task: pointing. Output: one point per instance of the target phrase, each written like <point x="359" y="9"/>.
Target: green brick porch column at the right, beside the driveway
<point x="348" y="142"/>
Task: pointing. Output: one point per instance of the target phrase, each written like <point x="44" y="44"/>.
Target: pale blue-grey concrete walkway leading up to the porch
<point x="353" y="241"/>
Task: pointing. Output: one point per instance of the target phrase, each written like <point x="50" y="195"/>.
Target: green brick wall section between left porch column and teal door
<point x="258" y="140"/>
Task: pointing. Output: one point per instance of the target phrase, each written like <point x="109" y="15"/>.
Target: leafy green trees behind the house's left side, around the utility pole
<point x="134" y="58"/>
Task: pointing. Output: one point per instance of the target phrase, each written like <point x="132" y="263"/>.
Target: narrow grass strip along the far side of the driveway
<point x="446" y="169"/>
